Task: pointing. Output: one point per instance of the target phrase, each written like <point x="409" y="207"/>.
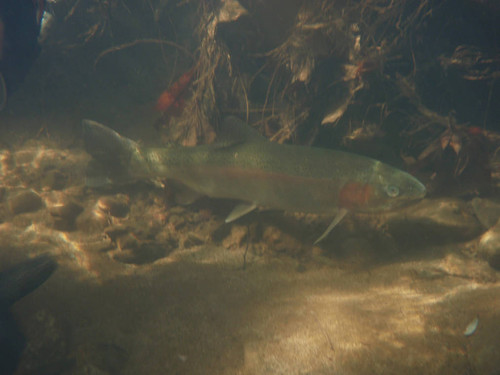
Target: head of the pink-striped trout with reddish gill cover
<point x="383" y="188"/>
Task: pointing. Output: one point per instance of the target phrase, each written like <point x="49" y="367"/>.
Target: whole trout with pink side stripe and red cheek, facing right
<point x="243" y="165"/>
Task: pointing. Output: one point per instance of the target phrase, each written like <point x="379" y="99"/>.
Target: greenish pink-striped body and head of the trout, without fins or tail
<point x="286" y="177"/>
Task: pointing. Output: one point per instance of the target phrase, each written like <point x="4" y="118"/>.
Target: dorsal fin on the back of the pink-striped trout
<point x="232" y="131"/>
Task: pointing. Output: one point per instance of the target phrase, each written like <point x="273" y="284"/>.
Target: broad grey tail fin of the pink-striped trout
<point x="111" y="154"/>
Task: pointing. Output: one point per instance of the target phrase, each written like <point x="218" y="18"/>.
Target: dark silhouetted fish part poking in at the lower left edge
<point x="16" y="282"/>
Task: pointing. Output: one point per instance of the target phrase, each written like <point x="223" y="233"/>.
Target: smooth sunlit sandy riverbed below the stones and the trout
<point x="199" y="312"/>
